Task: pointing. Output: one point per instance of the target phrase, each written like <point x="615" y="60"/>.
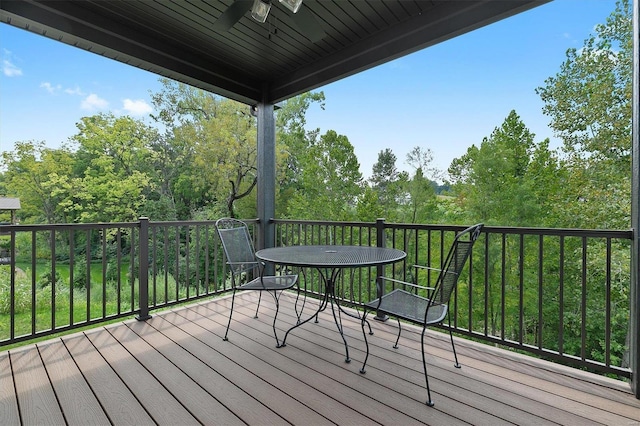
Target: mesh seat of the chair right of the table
<point x="408" y="306"/>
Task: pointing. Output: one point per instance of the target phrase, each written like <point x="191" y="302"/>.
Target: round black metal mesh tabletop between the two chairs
<point x="331" y="256"/>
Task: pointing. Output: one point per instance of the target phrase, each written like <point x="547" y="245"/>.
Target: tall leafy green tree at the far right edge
<point x="589" y="104"/>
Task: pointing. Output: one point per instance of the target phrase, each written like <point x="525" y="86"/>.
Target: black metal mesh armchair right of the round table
<point x="415" y="308"/>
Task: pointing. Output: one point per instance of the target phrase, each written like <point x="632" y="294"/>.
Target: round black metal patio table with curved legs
<point x="330" y="261"/>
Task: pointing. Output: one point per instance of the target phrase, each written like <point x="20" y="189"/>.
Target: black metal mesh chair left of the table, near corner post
<point x="238" y="247"/>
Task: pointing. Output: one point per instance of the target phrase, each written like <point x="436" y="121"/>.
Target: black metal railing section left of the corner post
<point x="60" y="277"/>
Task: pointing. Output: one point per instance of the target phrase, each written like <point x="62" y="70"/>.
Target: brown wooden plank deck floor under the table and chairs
<point x="175" y="369"/>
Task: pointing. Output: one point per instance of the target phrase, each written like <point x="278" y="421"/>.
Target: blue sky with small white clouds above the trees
<point x="444" y="98"/>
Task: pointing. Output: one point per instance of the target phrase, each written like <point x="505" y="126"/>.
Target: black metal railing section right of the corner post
<point x="562" y="294"/>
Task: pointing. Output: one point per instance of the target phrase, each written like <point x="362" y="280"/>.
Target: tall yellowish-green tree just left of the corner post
<point x="214" y="141"/>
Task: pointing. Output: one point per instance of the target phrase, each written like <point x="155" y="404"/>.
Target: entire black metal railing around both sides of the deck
<point x="558" y="293"/>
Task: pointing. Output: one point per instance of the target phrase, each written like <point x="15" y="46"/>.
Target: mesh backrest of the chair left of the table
<point x="237" y="244"/>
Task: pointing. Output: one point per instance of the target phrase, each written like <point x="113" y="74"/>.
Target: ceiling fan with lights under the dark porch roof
<point x="302" y="18"/>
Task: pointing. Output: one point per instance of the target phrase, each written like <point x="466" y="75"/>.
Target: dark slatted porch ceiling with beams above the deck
<point x="217" y="46"/>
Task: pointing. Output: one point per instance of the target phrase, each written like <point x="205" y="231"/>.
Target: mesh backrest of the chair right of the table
<point x="454" y="263"/>
